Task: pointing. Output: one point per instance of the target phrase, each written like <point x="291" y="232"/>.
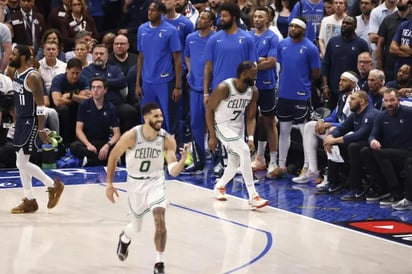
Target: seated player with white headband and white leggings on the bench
<point x="314" y="130"/>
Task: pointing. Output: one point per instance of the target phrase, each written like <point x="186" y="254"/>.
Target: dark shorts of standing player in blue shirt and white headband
<point x="293" y="110"/>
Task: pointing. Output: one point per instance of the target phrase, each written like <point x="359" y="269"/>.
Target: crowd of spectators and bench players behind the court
<point x="311" y="55"/>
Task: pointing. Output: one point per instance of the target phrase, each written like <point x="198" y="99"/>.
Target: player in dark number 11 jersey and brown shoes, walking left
<point x="29" y="130"/>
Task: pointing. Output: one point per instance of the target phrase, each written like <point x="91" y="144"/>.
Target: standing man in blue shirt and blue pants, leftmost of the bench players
<point x="159" y="63"/>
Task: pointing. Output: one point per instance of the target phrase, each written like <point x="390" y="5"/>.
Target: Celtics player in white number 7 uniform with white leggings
<point x="225" y="116"/>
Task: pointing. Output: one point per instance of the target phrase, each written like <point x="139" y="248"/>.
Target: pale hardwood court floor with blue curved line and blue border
<point x="204" y="236"/>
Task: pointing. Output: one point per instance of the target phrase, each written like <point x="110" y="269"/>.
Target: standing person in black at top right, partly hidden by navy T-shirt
<point x="386" y="60"/>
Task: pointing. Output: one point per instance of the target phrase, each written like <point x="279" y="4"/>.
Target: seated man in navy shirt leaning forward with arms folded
<point x="68" y="90"/>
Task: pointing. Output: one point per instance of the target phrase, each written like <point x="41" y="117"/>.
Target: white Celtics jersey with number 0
<point x="145" y="159"/>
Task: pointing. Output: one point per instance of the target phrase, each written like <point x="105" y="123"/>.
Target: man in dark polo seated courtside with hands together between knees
<point x="97" y="126"/>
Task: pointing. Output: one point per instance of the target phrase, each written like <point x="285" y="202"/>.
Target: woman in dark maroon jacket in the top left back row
<point x="78" y="20"/>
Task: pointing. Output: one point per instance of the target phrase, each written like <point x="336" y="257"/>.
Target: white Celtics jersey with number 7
<point x="231" y="111"/>
